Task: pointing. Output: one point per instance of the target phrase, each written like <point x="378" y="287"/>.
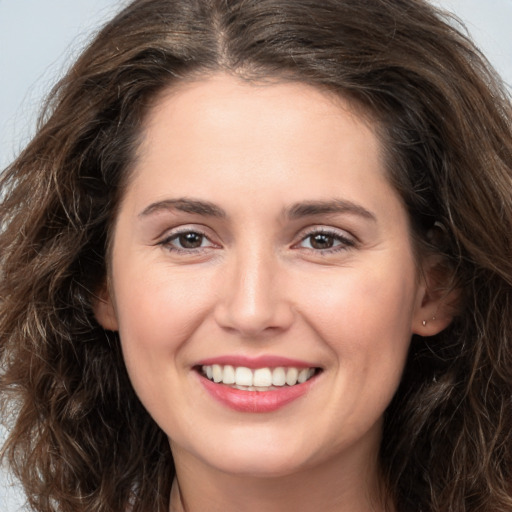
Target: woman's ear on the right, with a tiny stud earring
<point x="437" y="299"/>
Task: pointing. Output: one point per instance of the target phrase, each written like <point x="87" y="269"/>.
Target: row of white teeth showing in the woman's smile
<point x="259" y="379"/>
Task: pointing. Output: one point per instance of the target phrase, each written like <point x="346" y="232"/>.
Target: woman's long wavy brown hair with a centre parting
<point x="80" y="439"/>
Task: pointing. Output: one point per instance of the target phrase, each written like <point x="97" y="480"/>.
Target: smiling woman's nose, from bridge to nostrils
<point x="253" y="299"/>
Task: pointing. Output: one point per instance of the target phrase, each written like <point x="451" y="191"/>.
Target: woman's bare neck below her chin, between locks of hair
<point x="330" y="487"/>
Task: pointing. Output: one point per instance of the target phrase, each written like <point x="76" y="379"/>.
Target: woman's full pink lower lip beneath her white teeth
<point x="255" y="401"/>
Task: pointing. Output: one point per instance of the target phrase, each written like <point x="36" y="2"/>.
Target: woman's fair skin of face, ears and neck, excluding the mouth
<point x="258" y="284"/>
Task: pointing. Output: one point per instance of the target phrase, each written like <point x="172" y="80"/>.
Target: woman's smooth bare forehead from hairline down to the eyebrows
<point x="254" y="151"/>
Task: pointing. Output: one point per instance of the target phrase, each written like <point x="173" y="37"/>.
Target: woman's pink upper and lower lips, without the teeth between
<point x="255" y="401"/>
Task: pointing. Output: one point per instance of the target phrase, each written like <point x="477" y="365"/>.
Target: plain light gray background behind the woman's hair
<point x="39" y="39"/>
